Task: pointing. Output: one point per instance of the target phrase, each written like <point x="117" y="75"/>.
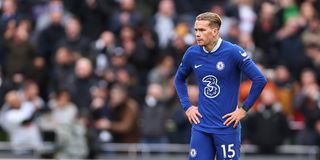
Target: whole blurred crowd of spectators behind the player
<point x="80" y="73"/>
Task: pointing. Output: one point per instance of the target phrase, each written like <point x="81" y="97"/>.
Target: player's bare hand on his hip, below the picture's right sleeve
<point x="234" y="117"/>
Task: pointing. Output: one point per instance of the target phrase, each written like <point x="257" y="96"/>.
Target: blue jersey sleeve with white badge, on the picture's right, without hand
<point x="249" y="68"/>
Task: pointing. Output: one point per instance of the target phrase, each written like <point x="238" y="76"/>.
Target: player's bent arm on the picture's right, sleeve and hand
<point x="248" y="67"/>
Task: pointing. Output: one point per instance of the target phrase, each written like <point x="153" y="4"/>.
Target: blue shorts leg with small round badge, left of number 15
<point x="201" y="146"/>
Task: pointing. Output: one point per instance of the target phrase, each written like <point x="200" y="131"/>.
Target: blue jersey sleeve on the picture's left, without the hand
<point x="182" y="73"/>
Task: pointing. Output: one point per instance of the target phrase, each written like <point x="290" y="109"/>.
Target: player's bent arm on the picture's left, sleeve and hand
<point x="182" y="73"/>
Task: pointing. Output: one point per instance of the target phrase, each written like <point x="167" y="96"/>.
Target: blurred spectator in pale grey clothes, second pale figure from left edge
<point x="70" y="134"/>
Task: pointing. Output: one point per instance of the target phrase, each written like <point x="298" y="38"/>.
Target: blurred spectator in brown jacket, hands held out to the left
<point x="123" y="124"/>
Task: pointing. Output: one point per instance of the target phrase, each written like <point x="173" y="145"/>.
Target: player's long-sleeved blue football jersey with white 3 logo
<point x="218" y="75"/>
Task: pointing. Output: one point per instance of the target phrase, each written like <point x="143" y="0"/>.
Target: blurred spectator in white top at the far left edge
<point x="17" y="119"/>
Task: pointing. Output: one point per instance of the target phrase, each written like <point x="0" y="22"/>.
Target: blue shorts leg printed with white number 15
<point x="227" y="146"/>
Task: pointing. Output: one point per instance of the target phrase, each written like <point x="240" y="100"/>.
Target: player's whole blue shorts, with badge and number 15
<point x="205" y="146"/>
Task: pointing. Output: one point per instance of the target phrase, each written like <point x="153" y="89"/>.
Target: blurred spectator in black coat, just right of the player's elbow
<point x="268" y="127"/>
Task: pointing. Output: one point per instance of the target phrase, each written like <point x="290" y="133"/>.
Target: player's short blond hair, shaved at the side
<point x="213" y="18"/>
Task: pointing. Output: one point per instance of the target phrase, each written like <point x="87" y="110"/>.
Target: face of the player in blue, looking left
<point x="205" y="34"/>
